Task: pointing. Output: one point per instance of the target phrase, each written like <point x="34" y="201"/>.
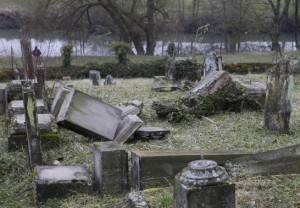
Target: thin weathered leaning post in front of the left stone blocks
<point x="34" y="144"/>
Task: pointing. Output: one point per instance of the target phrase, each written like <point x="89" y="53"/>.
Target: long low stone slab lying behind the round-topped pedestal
<point x="152" y="169"/>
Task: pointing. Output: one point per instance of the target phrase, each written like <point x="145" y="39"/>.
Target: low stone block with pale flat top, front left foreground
<point x="58" y="181"/>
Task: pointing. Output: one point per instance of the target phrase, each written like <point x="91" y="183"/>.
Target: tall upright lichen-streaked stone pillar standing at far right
<point x="278" y="97"/>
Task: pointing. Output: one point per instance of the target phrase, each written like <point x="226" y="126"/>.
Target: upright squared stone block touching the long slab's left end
<point x="110" y="168"/>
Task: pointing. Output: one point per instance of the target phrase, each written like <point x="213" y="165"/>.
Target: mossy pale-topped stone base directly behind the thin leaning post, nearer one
<point x="49" y="132"/>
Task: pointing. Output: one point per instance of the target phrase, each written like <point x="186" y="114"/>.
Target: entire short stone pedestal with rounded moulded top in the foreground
<point x="202" y="184"/>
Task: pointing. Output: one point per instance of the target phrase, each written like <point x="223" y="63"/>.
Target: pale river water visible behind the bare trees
<point x="50" y="46"/>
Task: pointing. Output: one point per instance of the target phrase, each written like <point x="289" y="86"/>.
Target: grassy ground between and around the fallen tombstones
<point x="234" y="131"/>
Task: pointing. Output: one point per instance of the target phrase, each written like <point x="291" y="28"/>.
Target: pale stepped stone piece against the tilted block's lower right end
<point x="127" y="127"/>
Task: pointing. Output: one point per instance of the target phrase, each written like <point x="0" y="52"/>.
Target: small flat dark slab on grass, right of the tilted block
<point x="151" y="133"/>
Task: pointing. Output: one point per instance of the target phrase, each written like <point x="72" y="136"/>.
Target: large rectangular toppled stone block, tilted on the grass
<point x="89" y="116"/>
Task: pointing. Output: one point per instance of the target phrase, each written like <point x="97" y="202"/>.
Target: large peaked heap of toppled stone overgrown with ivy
<point x="214" y="93"/>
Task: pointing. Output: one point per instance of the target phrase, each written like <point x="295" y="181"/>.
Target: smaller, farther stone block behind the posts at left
<point x="17" y="107"/>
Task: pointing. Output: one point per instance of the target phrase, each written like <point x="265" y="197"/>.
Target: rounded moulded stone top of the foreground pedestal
<point x="202" y="173"/>
